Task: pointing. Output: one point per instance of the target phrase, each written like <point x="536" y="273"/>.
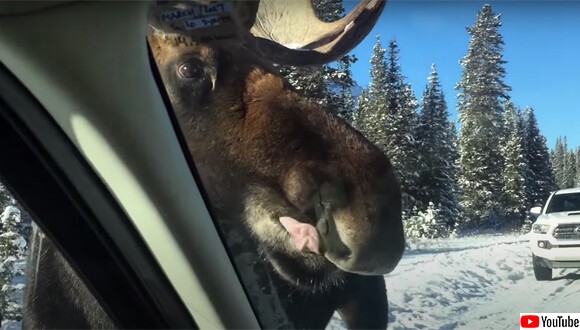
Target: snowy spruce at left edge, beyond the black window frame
<point x="11" y="250"/>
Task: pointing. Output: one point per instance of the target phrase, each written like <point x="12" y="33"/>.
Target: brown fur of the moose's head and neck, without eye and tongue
<point x="263" y="151"/>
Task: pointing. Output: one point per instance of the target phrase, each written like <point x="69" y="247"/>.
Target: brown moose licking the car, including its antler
<point x="321" y="203"/>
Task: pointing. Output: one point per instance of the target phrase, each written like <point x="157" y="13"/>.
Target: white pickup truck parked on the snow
<point x="555" y="235"/>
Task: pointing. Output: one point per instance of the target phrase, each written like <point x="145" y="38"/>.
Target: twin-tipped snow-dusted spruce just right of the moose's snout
<point x="387" y="116"/>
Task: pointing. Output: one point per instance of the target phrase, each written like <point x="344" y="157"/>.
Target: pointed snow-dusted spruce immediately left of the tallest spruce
<point x="437" y="157"/>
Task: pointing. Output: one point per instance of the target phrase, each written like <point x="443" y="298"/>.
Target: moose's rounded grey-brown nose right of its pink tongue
<point x="358" y="238"/>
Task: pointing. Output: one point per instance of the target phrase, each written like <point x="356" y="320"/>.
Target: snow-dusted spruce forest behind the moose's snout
<point x="482" y="171"/>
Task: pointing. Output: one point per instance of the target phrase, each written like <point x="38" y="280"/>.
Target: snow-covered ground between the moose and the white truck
<point x="480" y="282"/>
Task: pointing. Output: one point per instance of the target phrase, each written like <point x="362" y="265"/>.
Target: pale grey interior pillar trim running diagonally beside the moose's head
<point x="142" y="176"/>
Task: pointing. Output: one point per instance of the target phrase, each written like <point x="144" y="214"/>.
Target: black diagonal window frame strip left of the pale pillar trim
<point x="131" y="299"/>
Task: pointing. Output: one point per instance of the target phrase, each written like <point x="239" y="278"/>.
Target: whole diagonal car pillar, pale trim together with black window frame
<point x="96" y="158"/>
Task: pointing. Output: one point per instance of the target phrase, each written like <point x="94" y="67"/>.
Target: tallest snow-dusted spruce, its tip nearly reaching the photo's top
<point x="481" y="98"/>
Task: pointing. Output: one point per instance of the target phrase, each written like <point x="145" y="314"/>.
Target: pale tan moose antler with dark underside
<point x="288" y="31"/>
